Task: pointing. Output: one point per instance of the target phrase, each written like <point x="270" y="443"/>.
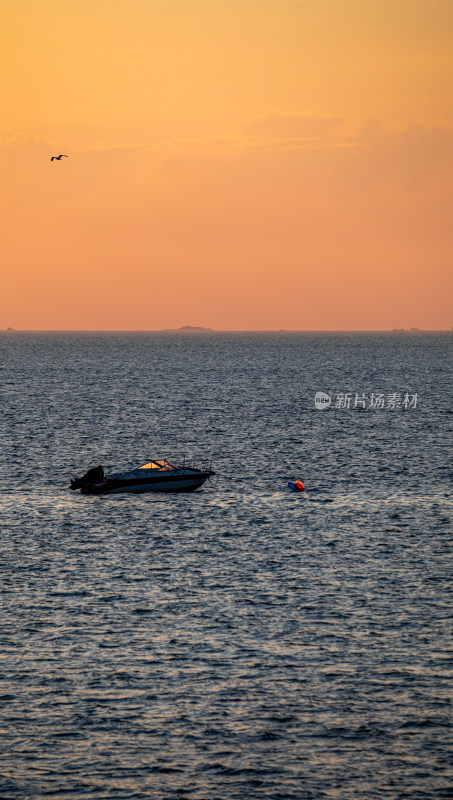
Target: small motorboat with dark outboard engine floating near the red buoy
<point x="154" y="476"/>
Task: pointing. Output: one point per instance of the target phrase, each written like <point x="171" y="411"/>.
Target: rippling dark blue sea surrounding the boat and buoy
<point x="243" y="641"/>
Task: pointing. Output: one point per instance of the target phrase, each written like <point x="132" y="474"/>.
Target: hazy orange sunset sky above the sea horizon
<point x="237" y="164"/>
